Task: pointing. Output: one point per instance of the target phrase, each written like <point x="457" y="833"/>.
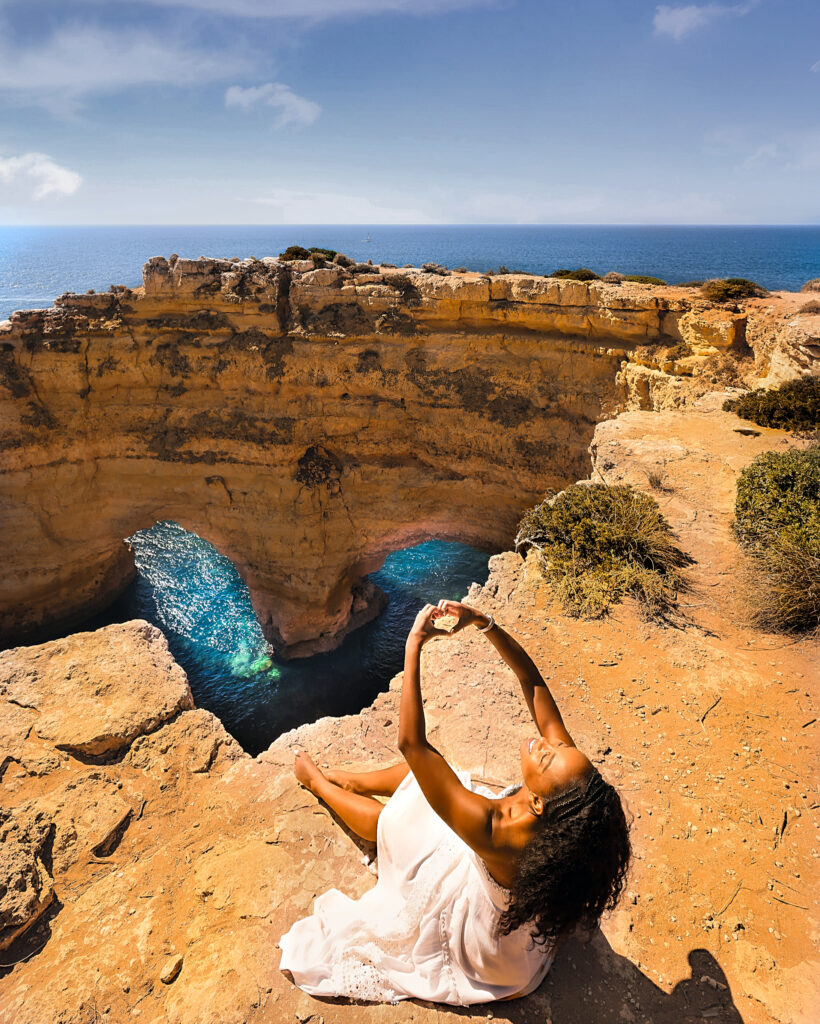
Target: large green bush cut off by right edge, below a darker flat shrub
<point x="778" y="523"/>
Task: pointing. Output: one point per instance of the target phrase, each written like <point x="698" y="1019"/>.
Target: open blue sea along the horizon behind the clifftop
<point x="39" y="264"/>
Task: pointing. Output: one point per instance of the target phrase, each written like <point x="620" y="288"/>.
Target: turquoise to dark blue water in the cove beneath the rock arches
<point x="201" y="604"/>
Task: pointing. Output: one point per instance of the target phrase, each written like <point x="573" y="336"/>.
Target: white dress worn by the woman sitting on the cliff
<point x="426" y="930"/>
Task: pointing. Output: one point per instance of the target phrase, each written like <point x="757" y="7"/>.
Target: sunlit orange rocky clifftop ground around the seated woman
<point x="149" y="867"/>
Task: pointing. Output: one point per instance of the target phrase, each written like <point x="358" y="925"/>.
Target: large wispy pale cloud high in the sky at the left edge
<point x="77" y="62"/>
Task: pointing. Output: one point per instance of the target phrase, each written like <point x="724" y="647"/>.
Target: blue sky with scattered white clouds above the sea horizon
<point x="374" y="112"/>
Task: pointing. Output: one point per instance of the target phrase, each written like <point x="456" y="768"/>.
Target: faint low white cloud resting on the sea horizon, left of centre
<point x="294" y="207"/>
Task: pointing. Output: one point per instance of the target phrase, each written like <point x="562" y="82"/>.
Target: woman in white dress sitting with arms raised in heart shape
<point x="474" y="892"/>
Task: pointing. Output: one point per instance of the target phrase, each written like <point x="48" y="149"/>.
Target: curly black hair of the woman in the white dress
<point x="576" y="866"/>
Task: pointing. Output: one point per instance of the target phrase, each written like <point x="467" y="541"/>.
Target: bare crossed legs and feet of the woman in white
<point x="351" y="795"/>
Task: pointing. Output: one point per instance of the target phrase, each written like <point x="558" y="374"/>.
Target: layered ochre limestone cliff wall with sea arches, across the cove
<point x="306" y="420"/>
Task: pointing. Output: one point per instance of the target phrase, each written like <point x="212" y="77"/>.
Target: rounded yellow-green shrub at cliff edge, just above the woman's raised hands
<point x="598" y="544"/>
